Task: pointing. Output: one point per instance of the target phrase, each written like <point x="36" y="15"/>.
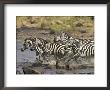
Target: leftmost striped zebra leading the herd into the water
<point x="35" y="44"/>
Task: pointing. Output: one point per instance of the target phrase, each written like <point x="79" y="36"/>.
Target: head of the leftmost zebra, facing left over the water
<point x="28" y="43"/>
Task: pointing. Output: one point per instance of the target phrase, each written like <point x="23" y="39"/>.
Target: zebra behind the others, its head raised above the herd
<point x="76" y="43"/>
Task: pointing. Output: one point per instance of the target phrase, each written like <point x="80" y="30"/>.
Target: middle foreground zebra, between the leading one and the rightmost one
<point x="58" y="50"/>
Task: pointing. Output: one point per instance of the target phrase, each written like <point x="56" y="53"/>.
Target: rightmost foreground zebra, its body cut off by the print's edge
<point x="85" y="52"/>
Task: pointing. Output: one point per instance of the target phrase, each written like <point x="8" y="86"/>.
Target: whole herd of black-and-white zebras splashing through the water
<point x="62" y="47"/>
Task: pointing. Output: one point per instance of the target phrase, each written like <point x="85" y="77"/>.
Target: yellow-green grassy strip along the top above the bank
<point x="57" y="23"/>
